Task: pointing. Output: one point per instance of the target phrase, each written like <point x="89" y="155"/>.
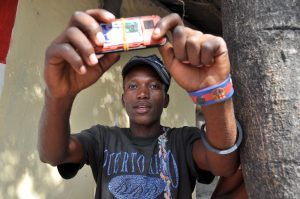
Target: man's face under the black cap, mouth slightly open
<point x="144" y="97"/>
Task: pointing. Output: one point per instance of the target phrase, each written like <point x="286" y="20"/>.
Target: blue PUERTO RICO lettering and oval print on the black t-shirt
<point x="132" y="181"/>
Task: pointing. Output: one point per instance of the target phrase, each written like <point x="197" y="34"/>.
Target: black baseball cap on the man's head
<point x="153" y="61"/>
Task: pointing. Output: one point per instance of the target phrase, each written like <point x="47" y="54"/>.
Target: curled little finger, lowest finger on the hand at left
<point x="59" y="53"/>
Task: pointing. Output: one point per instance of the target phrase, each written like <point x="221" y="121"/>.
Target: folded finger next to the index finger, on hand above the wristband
<point x="179" y="43"/>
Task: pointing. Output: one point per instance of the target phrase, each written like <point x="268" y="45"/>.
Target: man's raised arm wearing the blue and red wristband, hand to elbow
<point x="199" y="63"/>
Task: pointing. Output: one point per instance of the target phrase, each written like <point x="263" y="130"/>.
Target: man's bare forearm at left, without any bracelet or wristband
<point x="54" y="129"/>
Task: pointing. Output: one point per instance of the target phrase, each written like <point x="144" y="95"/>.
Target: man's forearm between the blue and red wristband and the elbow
<point x="221" y="133"/>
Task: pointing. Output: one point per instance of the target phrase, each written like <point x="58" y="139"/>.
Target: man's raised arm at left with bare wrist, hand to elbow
<point x="70" y="66"/>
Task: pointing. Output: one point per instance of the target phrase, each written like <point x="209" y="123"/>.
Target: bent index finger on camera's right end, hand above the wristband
<point x="166" y="24"/>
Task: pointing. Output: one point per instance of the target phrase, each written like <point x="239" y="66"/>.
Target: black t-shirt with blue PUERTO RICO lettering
<point x="129" y="167"/>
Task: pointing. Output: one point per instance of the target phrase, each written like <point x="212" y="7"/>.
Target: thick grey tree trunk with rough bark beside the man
<point x="264" y="42"/>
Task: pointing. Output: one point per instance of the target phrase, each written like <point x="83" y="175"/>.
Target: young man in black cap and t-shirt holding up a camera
<point x="146" y="160"/>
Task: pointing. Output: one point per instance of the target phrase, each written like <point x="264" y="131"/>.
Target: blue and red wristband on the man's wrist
<point x="213" y="94"/>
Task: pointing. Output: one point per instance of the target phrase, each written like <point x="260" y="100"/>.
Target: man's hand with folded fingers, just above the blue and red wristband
<point x="195" y="60"/>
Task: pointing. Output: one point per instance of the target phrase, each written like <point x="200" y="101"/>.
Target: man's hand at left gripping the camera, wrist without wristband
<point x="71" y="64"/>
